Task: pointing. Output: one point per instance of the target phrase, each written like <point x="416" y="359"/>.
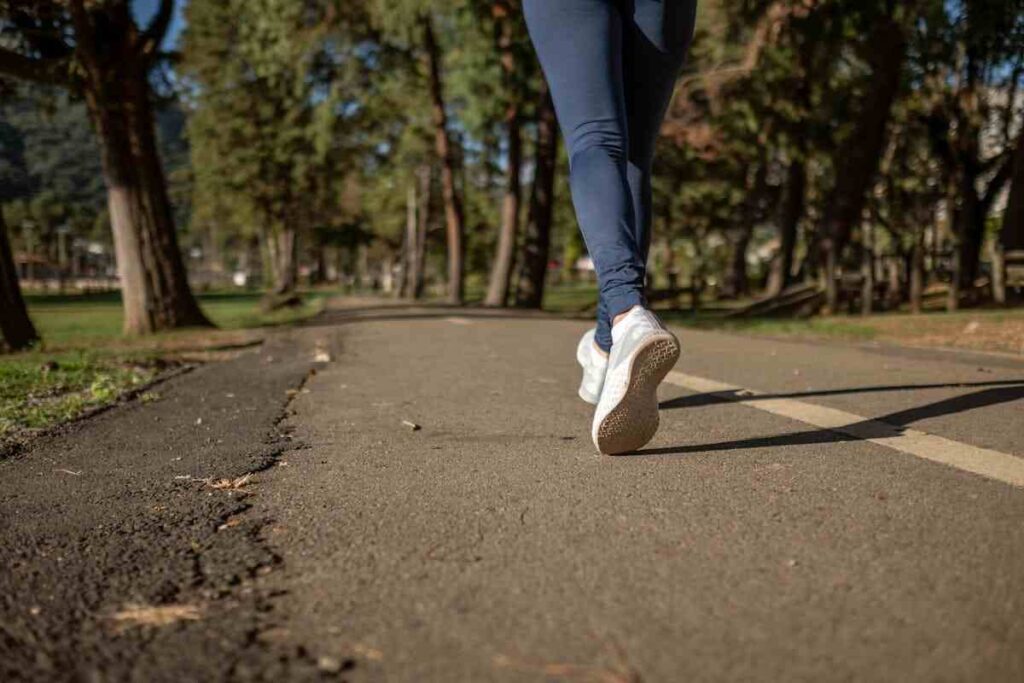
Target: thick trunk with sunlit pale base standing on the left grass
<point x="154" y="284"/>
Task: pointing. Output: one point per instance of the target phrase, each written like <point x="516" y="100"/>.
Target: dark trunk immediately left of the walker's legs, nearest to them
<point x="537" y="243"/>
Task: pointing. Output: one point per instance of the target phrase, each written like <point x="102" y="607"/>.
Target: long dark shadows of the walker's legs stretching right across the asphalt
<point x="886" y="426"/>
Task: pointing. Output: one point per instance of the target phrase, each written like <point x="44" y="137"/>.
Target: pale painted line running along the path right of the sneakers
<point x="986" y="462"/>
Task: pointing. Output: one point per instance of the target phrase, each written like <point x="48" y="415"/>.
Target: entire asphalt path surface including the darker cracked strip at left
<point x="490" y="542"/>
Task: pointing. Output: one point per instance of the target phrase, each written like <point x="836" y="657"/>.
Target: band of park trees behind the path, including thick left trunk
<point x="866" y="151"/>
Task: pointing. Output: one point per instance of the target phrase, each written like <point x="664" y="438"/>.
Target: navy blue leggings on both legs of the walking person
<point x="612" y="66"/>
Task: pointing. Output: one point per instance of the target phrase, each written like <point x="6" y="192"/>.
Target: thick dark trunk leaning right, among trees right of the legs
<point x="859" y="157"/>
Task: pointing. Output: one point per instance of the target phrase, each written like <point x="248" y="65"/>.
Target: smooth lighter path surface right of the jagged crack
<point x="492" y="543"/>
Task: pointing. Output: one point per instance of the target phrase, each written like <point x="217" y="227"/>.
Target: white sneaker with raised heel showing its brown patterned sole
<point x="643" y="354"/>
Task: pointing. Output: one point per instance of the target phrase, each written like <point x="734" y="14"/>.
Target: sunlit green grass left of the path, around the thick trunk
<point x="84" y="361"/>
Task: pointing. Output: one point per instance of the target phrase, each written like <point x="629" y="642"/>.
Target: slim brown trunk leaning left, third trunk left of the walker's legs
<point x="455" y="223"/>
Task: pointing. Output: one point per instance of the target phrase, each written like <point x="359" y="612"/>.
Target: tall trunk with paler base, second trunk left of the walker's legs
<point x="501" y="271"/>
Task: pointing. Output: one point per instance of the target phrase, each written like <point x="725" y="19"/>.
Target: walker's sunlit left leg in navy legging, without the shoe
<point x="580" y="46"/>
